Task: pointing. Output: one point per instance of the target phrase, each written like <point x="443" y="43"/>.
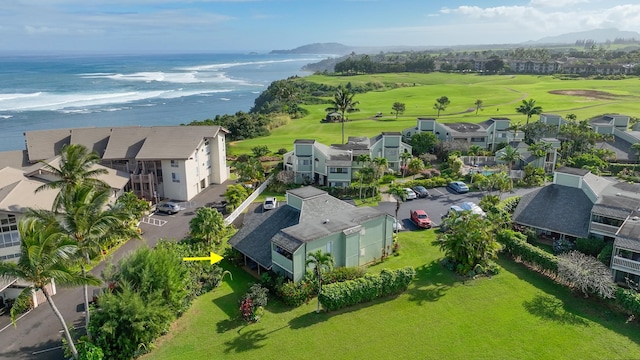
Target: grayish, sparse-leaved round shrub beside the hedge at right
<point x="587" y="274"/>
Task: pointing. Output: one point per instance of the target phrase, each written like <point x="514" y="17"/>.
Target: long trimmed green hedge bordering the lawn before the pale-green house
<point x="348" y="293"/>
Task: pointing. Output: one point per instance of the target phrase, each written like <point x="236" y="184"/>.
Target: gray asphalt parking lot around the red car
<point x="437" y="204"/>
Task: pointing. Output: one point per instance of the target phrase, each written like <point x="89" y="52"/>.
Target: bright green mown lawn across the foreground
<point x="514" y="315"/>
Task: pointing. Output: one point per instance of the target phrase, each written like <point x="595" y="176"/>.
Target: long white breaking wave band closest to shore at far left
<point x="82" y="101"/>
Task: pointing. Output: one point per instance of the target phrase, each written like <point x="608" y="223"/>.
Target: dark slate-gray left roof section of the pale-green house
<point x="254" y="237"/>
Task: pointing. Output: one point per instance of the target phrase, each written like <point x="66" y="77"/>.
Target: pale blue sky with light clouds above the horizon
<point x="144" y="26"/>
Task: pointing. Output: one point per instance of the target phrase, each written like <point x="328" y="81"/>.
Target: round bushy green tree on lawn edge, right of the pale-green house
<point x="469" y="242"/>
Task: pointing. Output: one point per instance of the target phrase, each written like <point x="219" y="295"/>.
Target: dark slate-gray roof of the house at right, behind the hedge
<point x="557" y="208"/>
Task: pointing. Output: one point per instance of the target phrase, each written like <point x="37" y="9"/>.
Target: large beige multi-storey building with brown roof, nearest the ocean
<point x="172" y="162"/>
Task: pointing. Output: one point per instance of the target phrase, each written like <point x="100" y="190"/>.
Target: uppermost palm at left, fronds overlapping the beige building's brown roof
<point x="75" y="168"/>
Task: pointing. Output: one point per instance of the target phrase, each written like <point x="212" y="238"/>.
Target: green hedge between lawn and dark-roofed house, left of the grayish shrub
<point x="516" y="245"/>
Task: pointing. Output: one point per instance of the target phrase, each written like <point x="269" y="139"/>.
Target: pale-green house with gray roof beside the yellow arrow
<point x="312" y="220"/>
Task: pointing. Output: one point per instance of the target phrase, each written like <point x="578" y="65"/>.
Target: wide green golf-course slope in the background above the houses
<point x="501" y="94"/>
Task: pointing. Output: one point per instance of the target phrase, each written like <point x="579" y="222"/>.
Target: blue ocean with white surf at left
<point x="50" y="92"/>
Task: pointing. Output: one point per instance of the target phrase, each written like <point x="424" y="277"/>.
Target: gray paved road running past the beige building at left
<point x="38" y="333"/>
